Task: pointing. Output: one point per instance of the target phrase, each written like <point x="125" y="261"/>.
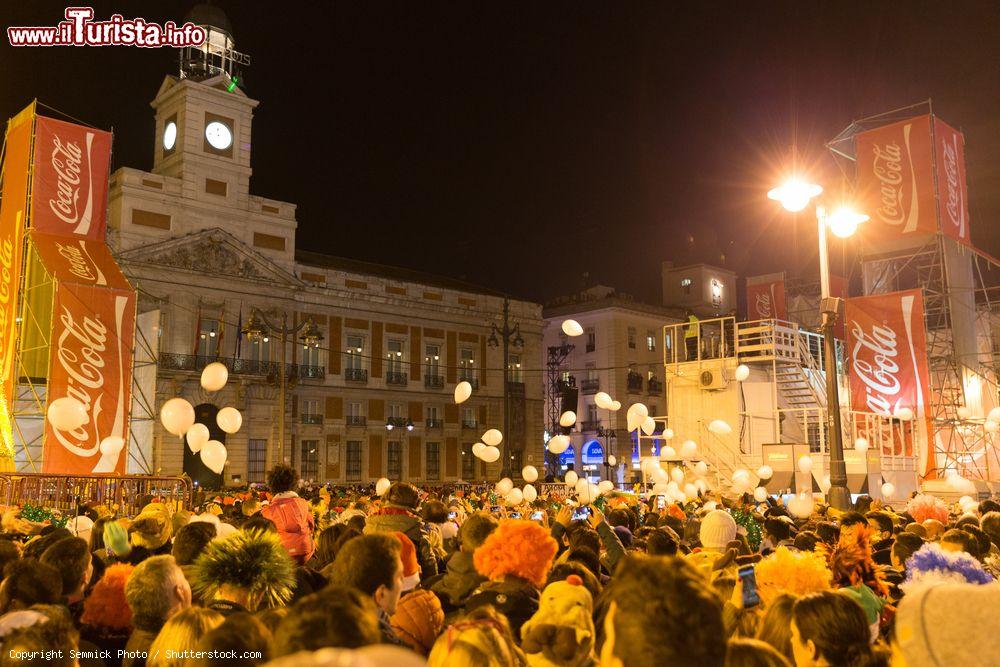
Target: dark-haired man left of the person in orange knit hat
<point x="372" y="564"/>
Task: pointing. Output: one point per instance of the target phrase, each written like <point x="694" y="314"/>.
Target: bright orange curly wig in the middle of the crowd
<point x="516" y="548"/>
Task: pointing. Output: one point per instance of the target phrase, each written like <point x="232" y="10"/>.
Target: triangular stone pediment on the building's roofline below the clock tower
<point x="211" y="252"/>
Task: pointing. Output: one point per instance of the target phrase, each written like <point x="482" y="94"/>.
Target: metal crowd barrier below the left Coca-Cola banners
<point x="65" y="492"/>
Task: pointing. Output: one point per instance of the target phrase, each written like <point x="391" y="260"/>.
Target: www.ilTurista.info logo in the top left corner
<point x="79" y="29"/>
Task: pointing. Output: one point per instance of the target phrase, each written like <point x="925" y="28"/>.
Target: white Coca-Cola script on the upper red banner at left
<point x="71" y="164"/>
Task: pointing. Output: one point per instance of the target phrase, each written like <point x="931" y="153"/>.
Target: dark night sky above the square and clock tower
<point x="520" y="145"/>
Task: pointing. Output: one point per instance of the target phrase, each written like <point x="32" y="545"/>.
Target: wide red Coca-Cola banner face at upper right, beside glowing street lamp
<point x="896" y="180"/>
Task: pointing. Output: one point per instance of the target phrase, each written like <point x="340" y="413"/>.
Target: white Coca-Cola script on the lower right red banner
<point x="874" y="363"/>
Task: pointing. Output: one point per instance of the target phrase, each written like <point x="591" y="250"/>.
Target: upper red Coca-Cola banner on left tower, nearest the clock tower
<point x="69" y="192"/>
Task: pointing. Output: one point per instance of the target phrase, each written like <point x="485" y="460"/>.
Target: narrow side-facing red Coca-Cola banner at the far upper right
<point x="953" y="195"/>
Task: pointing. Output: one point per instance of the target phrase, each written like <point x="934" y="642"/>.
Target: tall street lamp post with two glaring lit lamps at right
<point x="794" y="196"/>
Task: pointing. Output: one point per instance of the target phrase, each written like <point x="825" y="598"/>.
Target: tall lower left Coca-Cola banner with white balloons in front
<point x="91" y="361"/>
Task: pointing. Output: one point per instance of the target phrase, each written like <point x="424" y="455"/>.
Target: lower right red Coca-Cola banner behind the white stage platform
<point x="887" y="354"/>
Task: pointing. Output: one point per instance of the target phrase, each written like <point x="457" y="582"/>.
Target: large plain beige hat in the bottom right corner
<point x="949" y="624"/>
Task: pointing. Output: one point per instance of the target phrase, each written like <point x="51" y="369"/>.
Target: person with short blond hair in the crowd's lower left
<point x="155" y="591"/>
